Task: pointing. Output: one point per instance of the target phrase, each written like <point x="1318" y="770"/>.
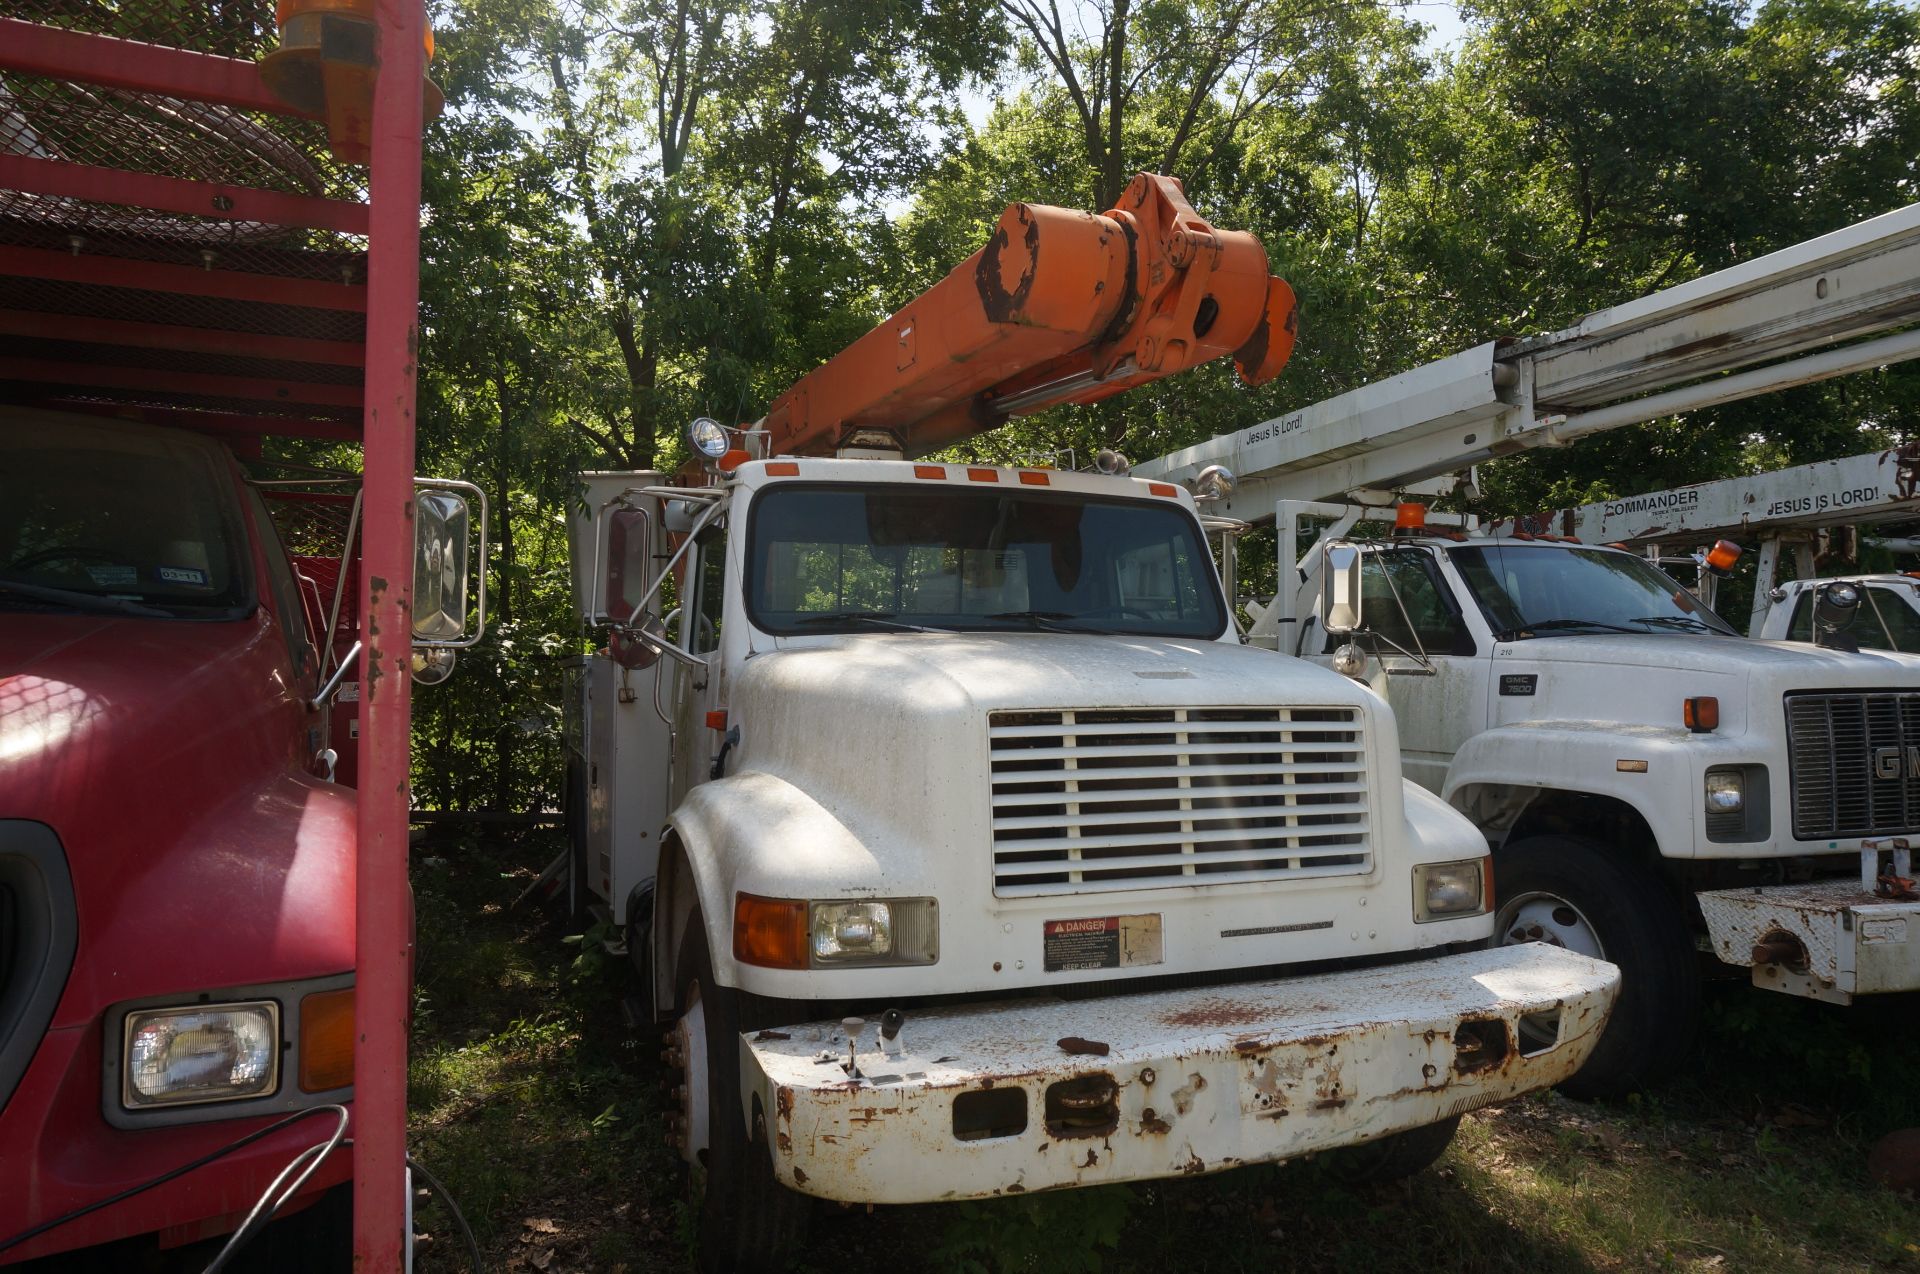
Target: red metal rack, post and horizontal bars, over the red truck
<point x="133" y="291"/>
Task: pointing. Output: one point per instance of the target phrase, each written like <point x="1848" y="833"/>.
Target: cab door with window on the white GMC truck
<point x="1424" y="657"/>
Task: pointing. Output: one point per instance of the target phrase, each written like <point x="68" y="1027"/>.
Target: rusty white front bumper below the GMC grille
<point x="1823" y="939"/>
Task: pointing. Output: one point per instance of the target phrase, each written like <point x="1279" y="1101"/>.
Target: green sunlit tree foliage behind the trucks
<point x="648" y="210"/>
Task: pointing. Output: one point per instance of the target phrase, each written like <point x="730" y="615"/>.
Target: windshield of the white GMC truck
<point x="1529" y="592"/>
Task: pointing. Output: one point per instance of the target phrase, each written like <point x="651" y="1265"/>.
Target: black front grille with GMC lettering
<point x="1835" y="743"/>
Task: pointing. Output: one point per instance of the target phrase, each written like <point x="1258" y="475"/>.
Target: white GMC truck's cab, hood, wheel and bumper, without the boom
<point x="1654" y="786"/>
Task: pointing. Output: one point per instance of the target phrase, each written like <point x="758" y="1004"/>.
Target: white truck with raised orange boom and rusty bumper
<point x="959" y="841"/>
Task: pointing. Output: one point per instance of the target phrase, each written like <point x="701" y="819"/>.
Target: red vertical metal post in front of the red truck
<point x="387" y="626"/>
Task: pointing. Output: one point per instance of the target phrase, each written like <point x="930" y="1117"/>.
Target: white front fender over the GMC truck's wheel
<point x="1508" y="768"/>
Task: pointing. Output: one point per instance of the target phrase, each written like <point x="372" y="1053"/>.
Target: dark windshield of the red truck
<point x="116" y="519"/>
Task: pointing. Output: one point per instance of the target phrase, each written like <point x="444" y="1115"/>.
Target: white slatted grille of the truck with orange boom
<point x="1093" y="801"/>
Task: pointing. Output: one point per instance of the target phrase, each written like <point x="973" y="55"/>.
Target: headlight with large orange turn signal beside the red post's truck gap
<point x="869" y="932"/>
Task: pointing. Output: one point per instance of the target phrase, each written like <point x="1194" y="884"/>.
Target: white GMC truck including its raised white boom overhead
<point x="1654" y="788"/>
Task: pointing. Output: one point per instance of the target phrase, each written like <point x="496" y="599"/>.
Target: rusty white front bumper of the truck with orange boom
<point x="1191" y="1081"/>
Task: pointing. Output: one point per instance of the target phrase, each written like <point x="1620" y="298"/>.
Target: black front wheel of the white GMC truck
<point x="1573" y="893"/>
